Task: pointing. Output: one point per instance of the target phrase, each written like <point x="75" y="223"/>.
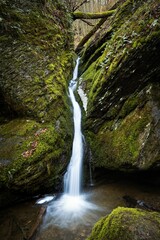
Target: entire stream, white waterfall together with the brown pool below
<point x="71" y="215"/>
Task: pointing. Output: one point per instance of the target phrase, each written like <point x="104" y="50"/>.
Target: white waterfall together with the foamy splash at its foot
<point x="70" y="209"/>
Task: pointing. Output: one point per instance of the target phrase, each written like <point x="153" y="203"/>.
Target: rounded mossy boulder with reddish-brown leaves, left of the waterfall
<point x="33" y="155"/>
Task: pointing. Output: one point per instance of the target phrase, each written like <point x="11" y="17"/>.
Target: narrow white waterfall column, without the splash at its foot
<point x="72" y="178"/>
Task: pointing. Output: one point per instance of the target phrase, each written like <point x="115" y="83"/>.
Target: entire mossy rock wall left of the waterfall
<point x="36" y="64"/>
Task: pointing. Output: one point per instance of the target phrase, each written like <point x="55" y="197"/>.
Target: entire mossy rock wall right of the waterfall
<point x="120" y="75"/>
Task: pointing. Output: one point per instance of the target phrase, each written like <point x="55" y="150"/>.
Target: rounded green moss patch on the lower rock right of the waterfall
<point x="127" y="136"/>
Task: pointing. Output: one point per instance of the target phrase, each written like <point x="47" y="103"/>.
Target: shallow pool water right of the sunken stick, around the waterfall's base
<point x="98" y="201"/>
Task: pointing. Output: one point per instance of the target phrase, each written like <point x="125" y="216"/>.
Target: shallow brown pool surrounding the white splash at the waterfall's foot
<point x="16" y="222"/>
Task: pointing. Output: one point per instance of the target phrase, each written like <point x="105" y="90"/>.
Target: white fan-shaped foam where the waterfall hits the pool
<point x="70" y="211"/>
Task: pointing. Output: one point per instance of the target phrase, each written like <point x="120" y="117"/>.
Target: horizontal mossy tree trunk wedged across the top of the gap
<point x="81" y="15"/>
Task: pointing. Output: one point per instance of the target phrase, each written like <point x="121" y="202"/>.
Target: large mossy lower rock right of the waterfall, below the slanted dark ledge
<point x="129" y="139"/>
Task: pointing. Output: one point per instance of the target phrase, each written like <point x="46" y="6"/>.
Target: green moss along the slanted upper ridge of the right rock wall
<point x="128" y="37"/>
